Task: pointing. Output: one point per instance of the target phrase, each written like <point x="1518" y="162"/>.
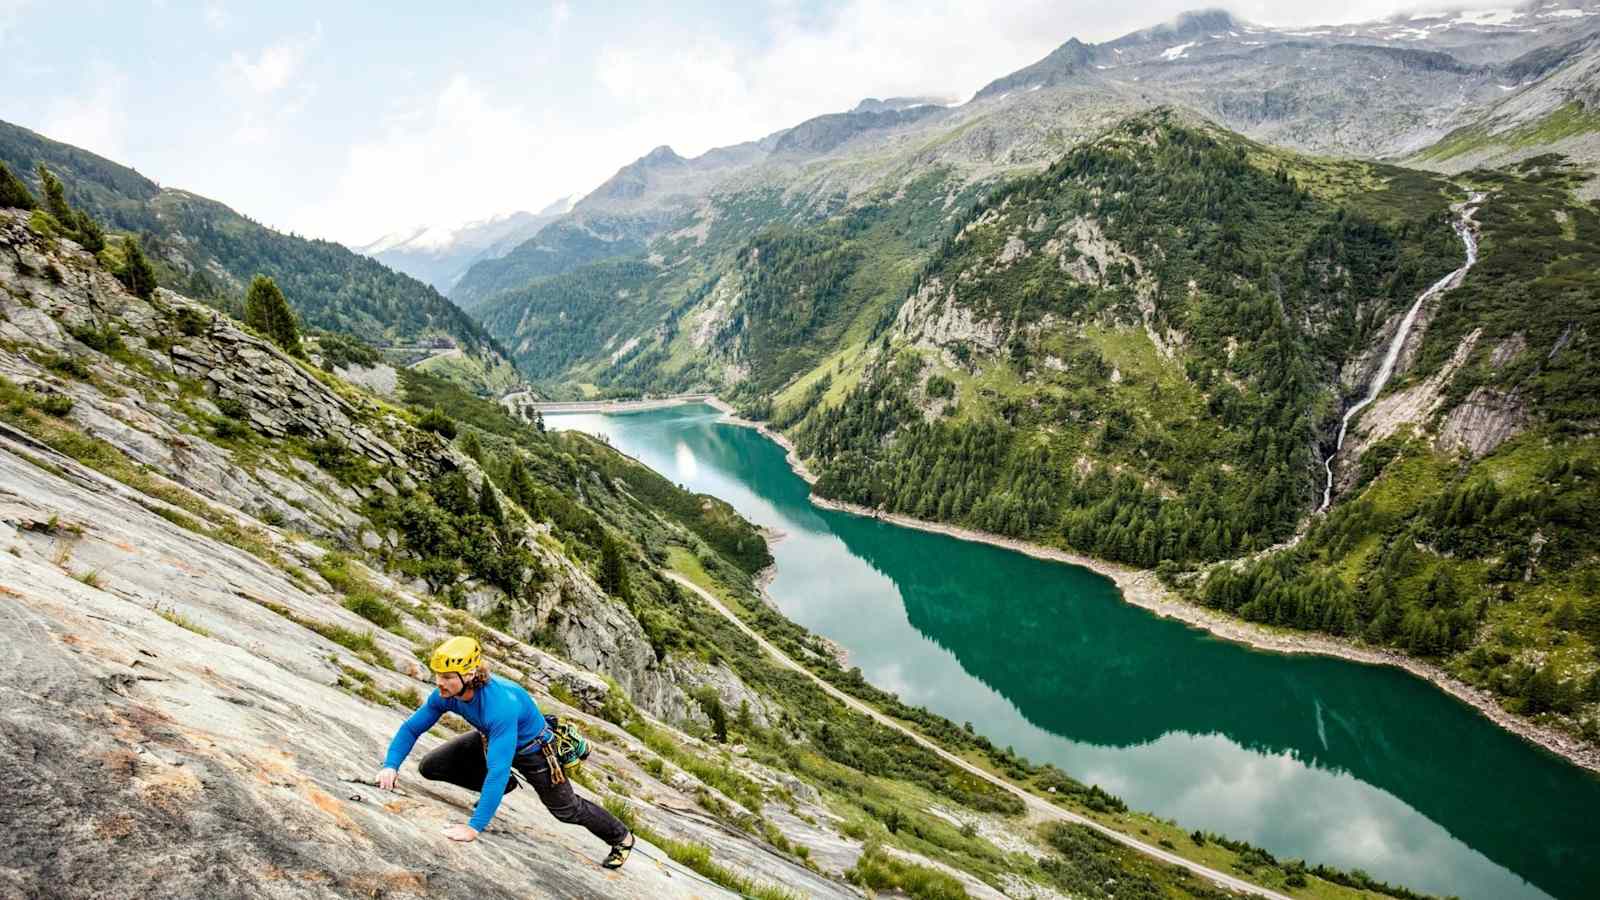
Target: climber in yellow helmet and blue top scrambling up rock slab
<point x="510" y="733"/>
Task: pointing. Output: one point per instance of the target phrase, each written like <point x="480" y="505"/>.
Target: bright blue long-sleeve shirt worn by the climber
<point x="503" y="712"/>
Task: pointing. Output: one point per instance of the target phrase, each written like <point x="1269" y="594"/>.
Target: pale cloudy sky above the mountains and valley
<point x="351" y="121"/>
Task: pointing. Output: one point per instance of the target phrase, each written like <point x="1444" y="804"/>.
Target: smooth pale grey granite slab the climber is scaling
<point x="182" y="739"/>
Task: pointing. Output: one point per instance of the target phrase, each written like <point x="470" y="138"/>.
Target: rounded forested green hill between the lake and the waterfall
<point x="1137" y="348"/>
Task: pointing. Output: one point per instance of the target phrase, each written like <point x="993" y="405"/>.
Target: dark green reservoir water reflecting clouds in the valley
<point x="1308" y="757"/>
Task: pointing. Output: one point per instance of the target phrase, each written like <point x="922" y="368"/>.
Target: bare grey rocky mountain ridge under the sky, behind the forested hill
<point x="1386" y="89"/>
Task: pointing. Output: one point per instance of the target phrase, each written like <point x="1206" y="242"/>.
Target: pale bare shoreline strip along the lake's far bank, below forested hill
<point x="1143" y="589"/>
